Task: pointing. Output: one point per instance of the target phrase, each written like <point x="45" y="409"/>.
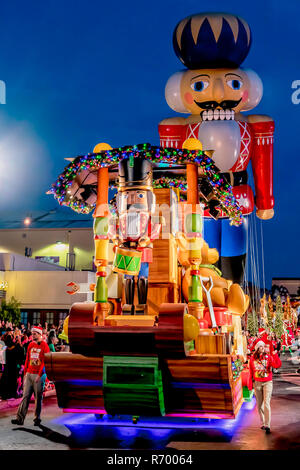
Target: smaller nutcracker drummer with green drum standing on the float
<point x="134" y="231"/>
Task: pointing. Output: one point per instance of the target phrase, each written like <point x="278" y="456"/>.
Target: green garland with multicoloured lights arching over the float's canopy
<point x="165" y="156"/>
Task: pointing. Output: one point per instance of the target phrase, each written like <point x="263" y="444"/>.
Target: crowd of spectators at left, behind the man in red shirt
<point x="14" y="341"/>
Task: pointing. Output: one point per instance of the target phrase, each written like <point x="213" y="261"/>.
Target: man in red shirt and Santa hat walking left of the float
<point x="34" y="377"/>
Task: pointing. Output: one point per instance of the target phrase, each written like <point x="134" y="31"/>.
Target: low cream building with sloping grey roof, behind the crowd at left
<point x="40" y="287"/>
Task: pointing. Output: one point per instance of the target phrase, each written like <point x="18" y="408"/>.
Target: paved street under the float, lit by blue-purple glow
<point x="64" y="432"/>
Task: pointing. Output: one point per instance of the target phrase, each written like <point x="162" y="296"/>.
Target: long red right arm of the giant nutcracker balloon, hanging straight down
<point x="262" y="164"/>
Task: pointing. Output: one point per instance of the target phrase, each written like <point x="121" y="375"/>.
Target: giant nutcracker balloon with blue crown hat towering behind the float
<point x="215" y="92"/>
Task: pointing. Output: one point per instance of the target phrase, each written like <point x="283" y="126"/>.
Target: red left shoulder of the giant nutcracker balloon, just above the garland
<point x="172" y="132"/>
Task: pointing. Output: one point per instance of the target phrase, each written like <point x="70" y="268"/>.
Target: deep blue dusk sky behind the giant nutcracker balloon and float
<point x="82" y="72"/>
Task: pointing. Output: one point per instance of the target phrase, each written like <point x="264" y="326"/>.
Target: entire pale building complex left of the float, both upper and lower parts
<point x="40" y="257"/>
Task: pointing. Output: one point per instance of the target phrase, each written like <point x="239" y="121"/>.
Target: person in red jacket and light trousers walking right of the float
<point x="260" y="371"/>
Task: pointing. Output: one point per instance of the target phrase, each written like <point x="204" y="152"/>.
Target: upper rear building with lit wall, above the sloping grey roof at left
<point x="52" y="237"/>
